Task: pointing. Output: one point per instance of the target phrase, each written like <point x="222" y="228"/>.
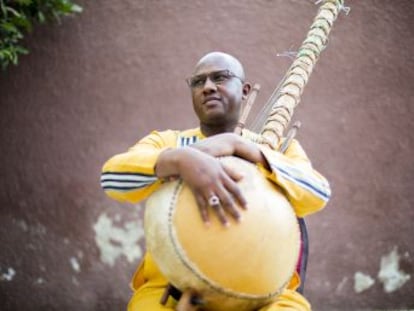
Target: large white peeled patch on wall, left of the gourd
<point x="114" y="241"/>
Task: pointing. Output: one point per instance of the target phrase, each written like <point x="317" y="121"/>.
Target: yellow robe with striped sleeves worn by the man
<point x="130" y="177"/>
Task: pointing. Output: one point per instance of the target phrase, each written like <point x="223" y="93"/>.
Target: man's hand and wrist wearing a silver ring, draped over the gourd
<point x="207" y="177"/>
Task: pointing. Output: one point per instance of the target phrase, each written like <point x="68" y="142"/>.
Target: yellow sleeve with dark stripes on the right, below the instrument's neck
<point x="306" y="189"/>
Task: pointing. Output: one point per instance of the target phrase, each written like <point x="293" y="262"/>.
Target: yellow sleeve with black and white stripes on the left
<point x="130" y="176"/>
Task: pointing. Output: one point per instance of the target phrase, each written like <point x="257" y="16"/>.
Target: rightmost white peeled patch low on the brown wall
<point x="390" y="274"/>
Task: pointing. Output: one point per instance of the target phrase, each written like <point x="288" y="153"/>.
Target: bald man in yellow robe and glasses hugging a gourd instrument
<point x="218" y="88"/>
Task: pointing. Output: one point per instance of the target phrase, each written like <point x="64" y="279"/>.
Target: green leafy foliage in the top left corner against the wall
<point x="17" y="18"/>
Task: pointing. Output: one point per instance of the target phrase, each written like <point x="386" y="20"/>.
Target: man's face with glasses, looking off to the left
<point x="217" y="92"/>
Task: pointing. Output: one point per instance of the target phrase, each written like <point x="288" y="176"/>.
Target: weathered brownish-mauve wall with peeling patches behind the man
<point x="96" y="83"/>
